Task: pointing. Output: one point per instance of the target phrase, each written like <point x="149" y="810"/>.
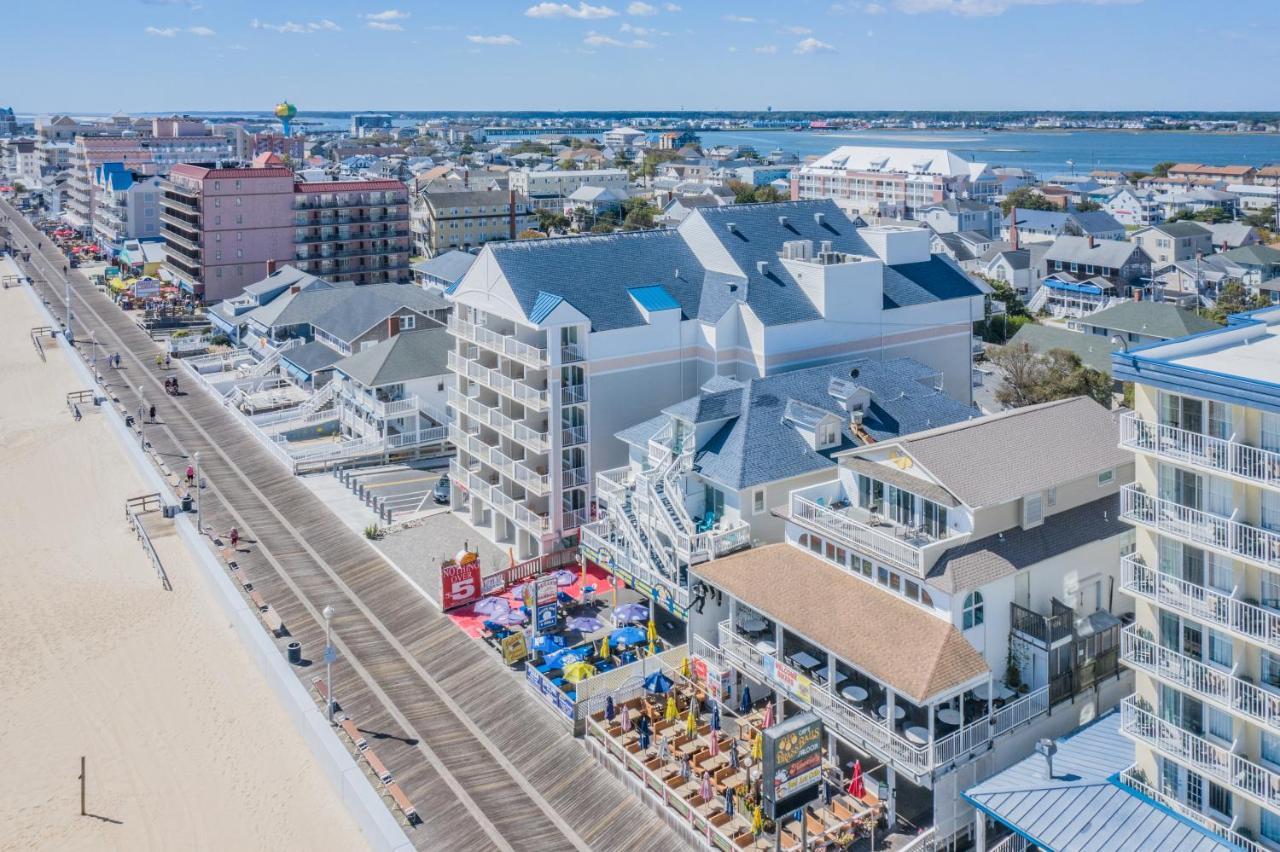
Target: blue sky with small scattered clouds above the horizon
<point x="637" y="56"/>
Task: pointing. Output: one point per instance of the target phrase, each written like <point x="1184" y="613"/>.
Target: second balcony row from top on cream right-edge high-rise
<point x="1201" y="529"/>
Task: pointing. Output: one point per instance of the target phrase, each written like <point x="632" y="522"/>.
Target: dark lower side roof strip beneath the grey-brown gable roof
<point x="985" y="561"/>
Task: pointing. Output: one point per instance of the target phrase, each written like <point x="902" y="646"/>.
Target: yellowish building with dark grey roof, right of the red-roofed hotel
<point x="464" y="221"/>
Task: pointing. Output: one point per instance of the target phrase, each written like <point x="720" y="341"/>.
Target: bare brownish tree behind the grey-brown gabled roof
<point x="1032" y="378"/>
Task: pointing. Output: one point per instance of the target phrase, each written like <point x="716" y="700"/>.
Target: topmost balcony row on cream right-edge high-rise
<point x="1195" y="450"/>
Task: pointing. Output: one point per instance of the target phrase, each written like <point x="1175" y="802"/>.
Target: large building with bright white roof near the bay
<point x="893" y="182"/>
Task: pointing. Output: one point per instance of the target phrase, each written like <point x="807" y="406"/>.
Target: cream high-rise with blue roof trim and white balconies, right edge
<point x="1206" y="576"/>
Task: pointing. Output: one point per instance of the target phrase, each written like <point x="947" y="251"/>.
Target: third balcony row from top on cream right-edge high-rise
<point x="1208" y="606"/>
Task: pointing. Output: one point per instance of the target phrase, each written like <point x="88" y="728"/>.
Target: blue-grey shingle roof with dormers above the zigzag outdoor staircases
<point x="758" y="446"/>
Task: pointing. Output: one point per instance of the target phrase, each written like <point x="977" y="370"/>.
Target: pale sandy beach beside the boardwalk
<point x="188" y="748"/>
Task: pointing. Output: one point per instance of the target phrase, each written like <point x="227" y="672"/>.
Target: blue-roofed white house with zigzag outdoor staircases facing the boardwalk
<point x="703" y="475"/>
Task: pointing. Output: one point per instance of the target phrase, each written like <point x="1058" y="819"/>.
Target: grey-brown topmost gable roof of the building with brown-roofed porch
<point x="1032" y="448"/>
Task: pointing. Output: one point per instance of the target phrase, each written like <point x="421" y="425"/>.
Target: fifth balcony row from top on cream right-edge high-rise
<point x="1217" y="762"/>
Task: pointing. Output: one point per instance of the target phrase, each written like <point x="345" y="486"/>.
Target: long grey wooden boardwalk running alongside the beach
<point x="484" y="764"/>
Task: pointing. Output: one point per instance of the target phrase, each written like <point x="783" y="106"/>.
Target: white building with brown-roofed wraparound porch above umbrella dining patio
<point x="938" y="617"/>
